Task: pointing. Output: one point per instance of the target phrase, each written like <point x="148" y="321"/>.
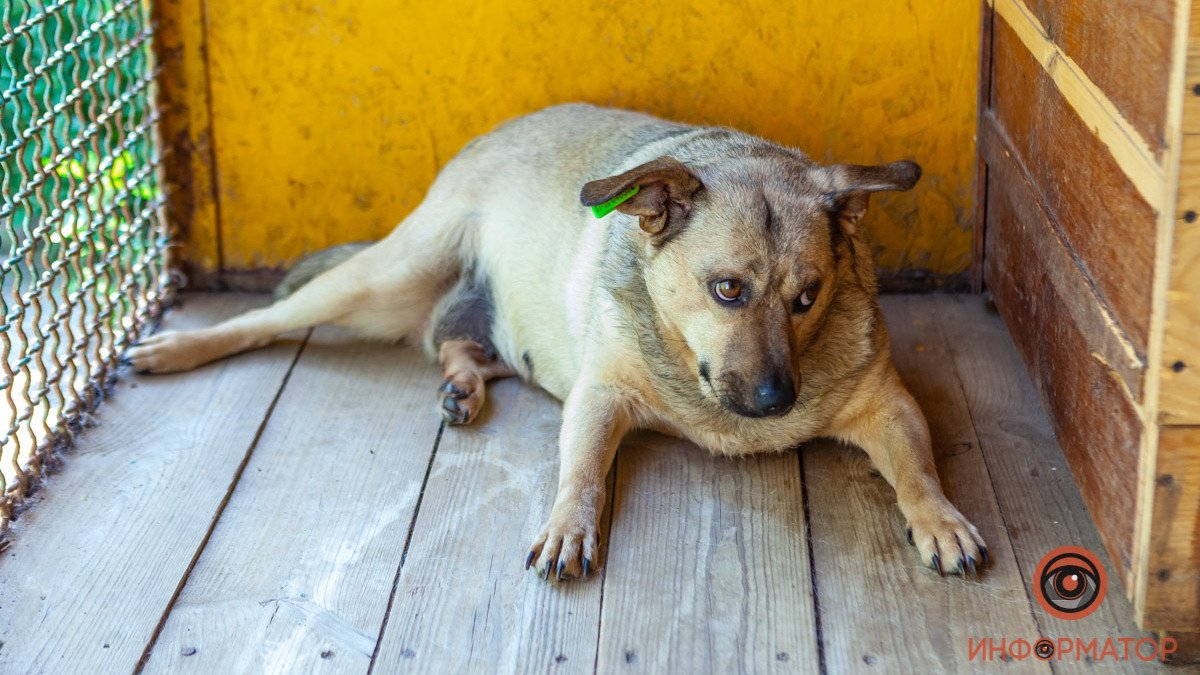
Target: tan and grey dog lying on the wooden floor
<point x="728" y="298"/>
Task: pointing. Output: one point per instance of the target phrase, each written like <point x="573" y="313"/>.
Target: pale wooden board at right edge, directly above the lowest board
<point x="1180" y="391"/>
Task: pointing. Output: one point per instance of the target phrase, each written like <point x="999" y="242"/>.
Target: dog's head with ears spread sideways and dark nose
<point x="742" y="261"/>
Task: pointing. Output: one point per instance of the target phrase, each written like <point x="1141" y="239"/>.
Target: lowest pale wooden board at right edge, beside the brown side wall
<point x="1173" y="594"/>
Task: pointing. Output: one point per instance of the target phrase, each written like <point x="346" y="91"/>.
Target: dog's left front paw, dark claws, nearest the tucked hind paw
<point x="567" y="547"/>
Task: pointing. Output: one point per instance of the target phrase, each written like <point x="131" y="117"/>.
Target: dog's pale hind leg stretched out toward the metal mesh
<point x="385" y="292"/>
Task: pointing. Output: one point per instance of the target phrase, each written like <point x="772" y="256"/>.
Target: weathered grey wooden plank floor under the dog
<point x="302" y="510"/>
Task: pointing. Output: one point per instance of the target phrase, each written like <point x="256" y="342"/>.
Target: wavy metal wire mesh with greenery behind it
<point x="82" y="240"/>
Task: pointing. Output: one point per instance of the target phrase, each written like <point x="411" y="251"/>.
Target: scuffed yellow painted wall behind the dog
<point x="331" y="118"/>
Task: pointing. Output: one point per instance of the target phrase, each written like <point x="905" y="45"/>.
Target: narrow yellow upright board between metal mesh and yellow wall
<point x="187" y="135"/>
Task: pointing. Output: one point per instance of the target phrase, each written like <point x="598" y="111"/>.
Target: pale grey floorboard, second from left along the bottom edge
<point x="319" y="523"/>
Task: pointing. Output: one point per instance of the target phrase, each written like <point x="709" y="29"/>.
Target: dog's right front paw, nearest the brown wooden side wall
<point x="946" y="541"/>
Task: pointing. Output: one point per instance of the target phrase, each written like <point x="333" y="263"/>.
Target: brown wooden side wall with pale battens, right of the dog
<point x="1090" y="242"/>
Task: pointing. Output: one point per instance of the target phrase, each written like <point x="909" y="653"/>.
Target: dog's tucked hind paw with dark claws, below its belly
<point x="467" y="367"/>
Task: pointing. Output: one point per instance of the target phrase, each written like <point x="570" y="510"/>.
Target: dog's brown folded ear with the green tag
<point x="665" y="195"/>
